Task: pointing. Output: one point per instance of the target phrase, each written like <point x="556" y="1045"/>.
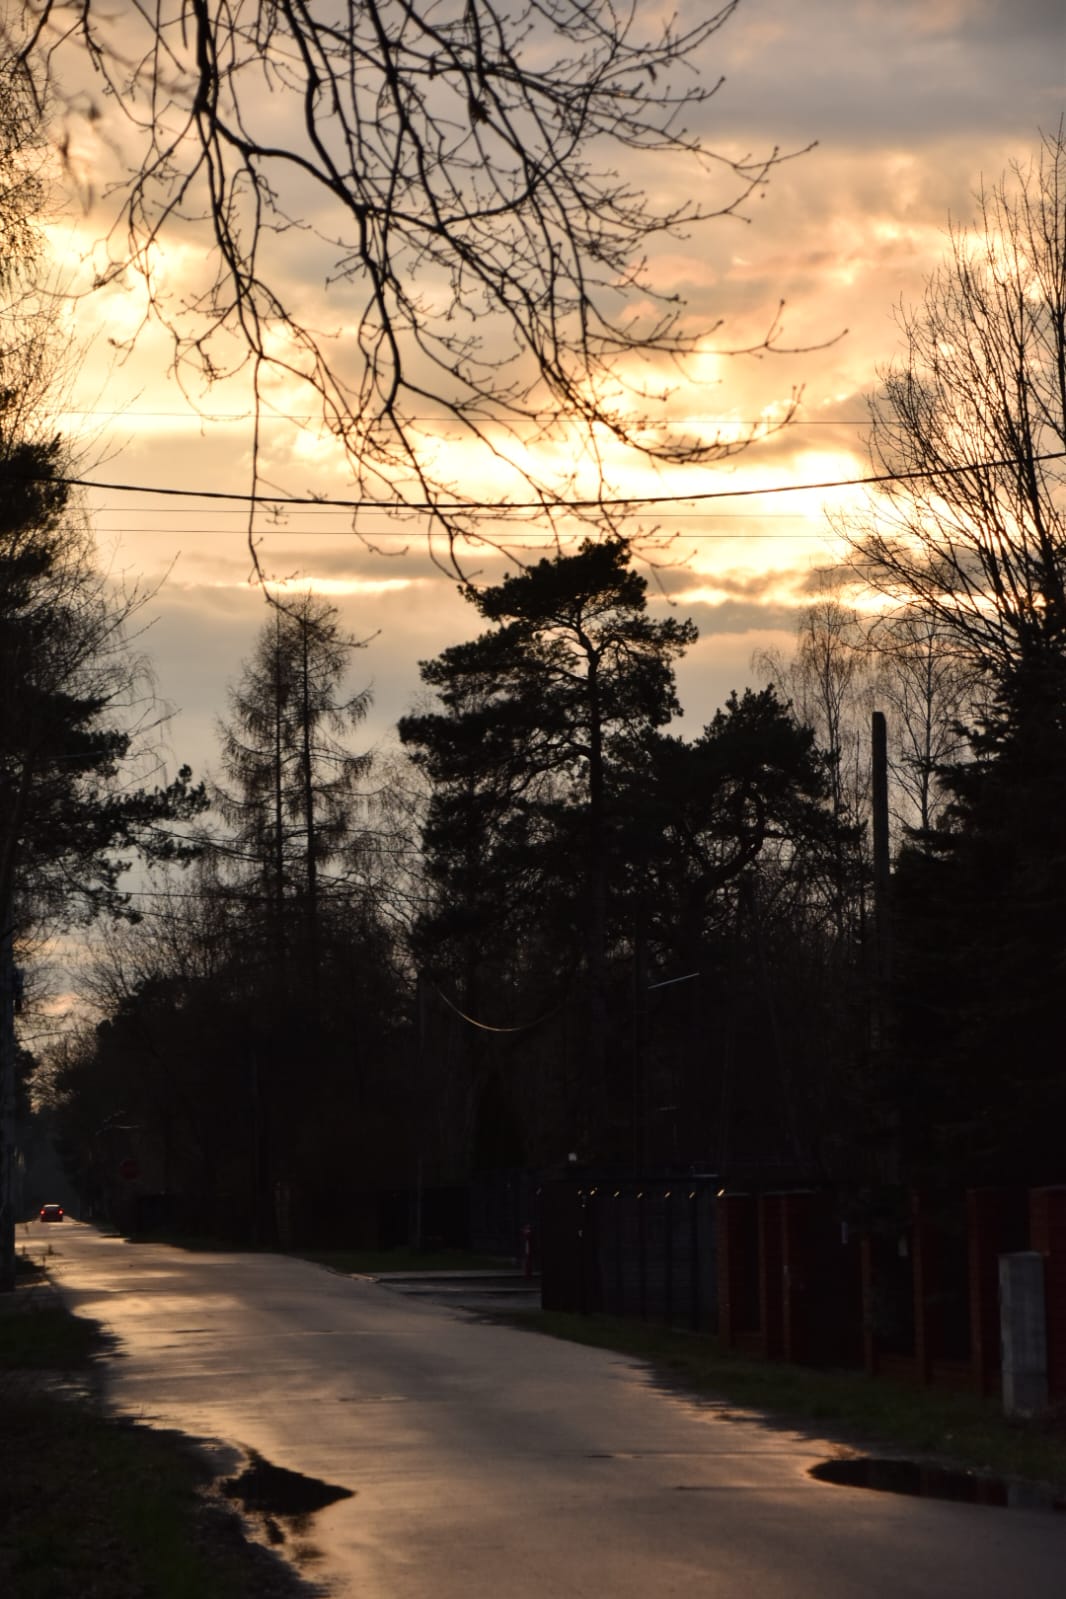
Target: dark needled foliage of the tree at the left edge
<point x="71" y="819"/>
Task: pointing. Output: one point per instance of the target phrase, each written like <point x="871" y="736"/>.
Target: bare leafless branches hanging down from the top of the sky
<point x="463" y="177"/>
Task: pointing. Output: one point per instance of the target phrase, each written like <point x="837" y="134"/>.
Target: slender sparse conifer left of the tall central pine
<point x="292" y="797"/>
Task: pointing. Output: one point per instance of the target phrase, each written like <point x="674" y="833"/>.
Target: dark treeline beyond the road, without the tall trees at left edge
<point x="555" y="927"/>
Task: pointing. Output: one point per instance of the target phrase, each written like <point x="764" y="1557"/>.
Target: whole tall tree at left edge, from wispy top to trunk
<point x="71" y="688"/>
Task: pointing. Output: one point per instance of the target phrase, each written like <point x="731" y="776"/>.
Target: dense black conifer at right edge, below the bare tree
<point x="982" y="954"/>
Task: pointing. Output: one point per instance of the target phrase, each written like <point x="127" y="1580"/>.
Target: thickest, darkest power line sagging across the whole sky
<point x="507" y="508"/>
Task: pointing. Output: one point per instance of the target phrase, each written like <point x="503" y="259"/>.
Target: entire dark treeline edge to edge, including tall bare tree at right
<point x="552" y="925"/>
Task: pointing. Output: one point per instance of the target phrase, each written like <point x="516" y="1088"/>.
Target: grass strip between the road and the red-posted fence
<point x="870" y="1414"/>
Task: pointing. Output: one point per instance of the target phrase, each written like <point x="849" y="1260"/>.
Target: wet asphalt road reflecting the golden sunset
<point x="491" y="1464"/>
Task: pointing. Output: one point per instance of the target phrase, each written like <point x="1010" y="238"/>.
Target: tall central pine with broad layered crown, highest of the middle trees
<point x="541" y="716"/>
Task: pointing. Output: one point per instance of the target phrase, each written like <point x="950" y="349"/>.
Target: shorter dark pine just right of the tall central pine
<point x="734" y="847"/>
